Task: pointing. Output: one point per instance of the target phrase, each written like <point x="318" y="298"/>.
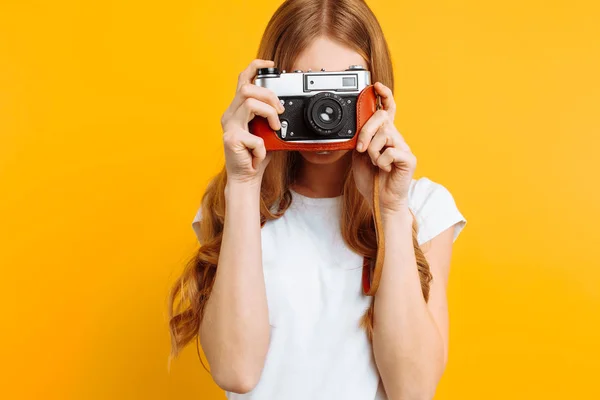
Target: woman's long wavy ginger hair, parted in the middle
<point x="294" y="25"/>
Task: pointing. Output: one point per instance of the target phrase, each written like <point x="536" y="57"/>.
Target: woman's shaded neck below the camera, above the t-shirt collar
<point x="322" y="180"/>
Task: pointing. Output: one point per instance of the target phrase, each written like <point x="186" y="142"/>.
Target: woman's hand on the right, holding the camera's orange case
<point x="380" y="145"/>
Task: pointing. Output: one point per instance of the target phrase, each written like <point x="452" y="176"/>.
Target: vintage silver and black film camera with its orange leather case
<point x="323" y="110"/>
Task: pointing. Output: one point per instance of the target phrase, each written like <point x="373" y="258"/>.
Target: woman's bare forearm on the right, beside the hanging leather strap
<point x="407" y="344"/>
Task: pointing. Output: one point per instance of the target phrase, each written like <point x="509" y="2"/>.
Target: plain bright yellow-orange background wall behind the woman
<point x="109" y="132"/>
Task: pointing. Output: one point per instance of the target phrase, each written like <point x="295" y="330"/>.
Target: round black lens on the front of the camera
<point x="325" y="113"/>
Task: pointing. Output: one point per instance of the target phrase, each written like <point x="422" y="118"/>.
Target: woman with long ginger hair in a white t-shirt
<point x="274" y="294"/>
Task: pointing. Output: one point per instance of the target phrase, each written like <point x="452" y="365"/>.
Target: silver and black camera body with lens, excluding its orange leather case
<point x="320" y="107"/>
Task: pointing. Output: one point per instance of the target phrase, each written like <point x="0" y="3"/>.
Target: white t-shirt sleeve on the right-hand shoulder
<point x="435" y="209"/>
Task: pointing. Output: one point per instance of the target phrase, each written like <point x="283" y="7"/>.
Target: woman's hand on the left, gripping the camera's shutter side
<point x="245" y="154"/>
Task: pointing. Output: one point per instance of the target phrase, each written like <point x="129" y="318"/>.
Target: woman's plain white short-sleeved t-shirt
<point x="315" y="299"/>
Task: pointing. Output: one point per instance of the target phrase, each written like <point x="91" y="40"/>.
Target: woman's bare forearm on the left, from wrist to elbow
<point x="235" y="328"/>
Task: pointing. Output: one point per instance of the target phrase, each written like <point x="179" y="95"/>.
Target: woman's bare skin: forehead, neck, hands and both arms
<point x="410" y="340"/>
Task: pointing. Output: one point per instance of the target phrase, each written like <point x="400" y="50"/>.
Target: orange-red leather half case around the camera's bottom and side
<point x="366" y="104"/>
